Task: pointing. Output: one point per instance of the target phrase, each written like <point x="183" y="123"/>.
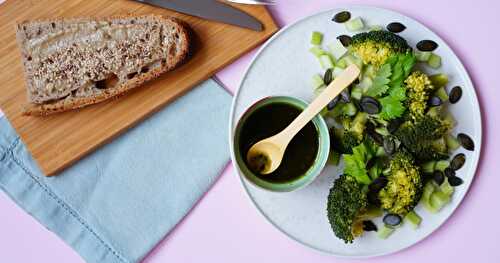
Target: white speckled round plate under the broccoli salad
<point x="284" y="66"/>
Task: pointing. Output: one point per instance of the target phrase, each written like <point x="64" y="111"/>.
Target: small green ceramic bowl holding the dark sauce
<point x="311" y="173"/>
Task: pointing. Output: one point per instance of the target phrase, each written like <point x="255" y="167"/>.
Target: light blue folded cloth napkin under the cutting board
<point x="116" y="204"/>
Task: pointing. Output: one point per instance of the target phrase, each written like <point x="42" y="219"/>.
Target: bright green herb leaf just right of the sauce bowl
<point x="355" y="164"/>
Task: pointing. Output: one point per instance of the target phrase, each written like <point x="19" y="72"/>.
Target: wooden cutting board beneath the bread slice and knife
<point x="58" y="141"/>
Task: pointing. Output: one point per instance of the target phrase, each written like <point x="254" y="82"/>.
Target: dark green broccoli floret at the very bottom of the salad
<point x="347" y="203"/>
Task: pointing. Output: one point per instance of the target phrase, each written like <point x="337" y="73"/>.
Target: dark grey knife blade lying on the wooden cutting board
<point x="211" y="10"/>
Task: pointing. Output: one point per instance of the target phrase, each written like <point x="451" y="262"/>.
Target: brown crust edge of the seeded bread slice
<point x="70" y="103"/>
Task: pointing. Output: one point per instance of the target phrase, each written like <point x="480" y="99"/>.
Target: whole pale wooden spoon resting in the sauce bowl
<point x="266" y="155"/>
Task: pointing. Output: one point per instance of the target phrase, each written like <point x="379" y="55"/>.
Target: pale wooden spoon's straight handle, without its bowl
<point x="330" y="92"/>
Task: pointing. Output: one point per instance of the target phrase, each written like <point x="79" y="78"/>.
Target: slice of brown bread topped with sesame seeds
<point x="72" y="63"/>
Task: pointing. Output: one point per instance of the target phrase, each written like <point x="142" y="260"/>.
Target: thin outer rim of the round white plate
<point x="461" y="68"/>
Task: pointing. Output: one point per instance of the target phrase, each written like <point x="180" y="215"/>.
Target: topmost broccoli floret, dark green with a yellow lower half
<point x="375" y="47"/>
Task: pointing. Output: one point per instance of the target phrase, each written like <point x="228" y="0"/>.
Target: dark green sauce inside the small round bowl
<point x="270" y="120"/>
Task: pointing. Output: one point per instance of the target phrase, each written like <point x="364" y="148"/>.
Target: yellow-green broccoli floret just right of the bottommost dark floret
<point x="404" y="187"/>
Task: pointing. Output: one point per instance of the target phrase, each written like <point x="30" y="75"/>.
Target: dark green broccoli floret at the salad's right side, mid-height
<point x="424" y="138"/>
